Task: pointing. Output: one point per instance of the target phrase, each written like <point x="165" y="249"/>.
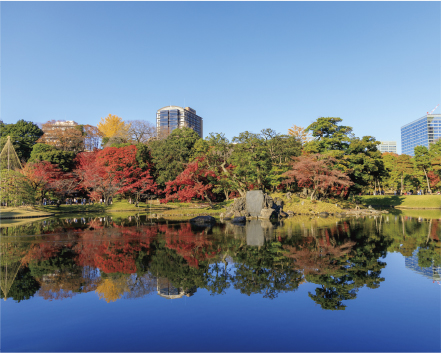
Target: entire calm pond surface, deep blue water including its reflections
<point x="127" y="284"/>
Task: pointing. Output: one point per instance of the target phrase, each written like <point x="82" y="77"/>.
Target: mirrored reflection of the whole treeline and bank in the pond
<point x="129" y="258"/>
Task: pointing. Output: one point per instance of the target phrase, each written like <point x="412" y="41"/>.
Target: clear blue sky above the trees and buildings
<point x="241" y="65"/>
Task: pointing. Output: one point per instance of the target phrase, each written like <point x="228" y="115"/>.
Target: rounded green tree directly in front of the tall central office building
<point x="170" y="156"/>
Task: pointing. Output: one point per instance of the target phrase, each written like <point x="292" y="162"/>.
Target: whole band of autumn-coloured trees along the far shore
<point x="325" y="160"/>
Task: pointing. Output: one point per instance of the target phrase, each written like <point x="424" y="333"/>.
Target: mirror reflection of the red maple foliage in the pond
<point x="116" y="249"/>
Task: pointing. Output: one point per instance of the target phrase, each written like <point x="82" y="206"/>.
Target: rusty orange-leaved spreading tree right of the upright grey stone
<point x="315" y="173"/>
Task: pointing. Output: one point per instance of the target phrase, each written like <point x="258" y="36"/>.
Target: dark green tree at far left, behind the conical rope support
<point x="24" y="135"/>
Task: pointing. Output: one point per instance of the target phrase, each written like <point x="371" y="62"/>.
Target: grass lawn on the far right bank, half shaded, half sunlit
<point x="405" y="201"/>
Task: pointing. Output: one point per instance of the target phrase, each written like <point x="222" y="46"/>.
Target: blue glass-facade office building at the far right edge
<point x="421" y="132"/>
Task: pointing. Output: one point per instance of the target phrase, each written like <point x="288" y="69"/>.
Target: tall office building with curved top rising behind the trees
<point x="173" y="117"/>
